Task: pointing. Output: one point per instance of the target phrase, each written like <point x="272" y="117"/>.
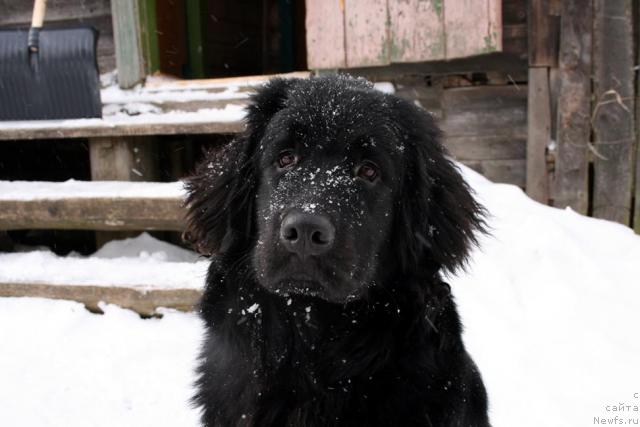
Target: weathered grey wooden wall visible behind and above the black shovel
<point x="97" y="13"/>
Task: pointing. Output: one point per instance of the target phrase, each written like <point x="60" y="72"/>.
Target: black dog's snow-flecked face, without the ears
<point x="329" y="172"/>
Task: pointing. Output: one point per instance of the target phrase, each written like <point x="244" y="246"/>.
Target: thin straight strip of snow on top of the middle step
<point x="45" y="190"/>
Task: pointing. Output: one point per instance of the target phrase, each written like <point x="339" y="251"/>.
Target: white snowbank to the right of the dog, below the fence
<point x="551" y="305"/>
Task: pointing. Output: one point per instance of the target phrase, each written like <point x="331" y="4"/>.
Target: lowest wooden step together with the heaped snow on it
<point x="142" y="273"/>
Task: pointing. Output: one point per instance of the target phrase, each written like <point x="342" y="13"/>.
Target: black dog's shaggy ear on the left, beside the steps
<point x="221" y="193"/>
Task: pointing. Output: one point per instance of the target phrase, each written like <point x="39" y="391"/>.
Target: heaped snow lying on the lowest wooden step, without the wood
<point x="143" y="262"/>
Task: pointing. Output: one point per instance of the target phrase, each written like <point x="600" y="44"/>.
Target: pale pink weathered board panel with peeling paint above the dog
<point x="380" y="32"/>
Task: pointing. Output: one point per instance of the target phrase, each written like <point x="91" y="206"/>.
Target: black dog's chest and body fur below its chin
<point x="297" y="362"/>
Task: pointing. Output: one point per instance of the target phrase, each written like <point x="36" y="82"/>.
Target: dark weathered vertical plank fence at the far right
<point x="583" y="107"/>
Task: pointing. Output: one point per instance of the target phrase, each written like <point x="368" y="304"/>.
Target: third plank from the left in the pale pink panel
<point x="417" y="31"/>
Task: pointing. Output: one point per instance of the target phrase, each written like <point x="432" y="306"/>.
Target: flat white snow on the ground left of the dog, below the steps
<point x="63" y="366"/>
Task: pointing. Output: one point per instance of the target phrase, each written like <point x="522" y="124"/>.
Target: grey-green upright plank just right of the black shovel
<point x="128" y="43"/>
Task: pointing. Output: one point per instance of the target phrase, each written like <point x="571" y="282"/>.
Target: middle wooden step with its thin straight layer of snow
<point x="91" y="205"/>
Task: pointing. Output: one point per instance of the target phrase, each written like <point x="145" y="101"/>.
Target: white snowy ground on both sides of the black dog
<point x="551" y="305"/>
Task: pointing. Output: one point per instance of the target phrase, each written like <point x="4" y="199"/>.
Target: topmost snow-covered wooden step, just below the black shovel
<point x="158" y="108"/>
